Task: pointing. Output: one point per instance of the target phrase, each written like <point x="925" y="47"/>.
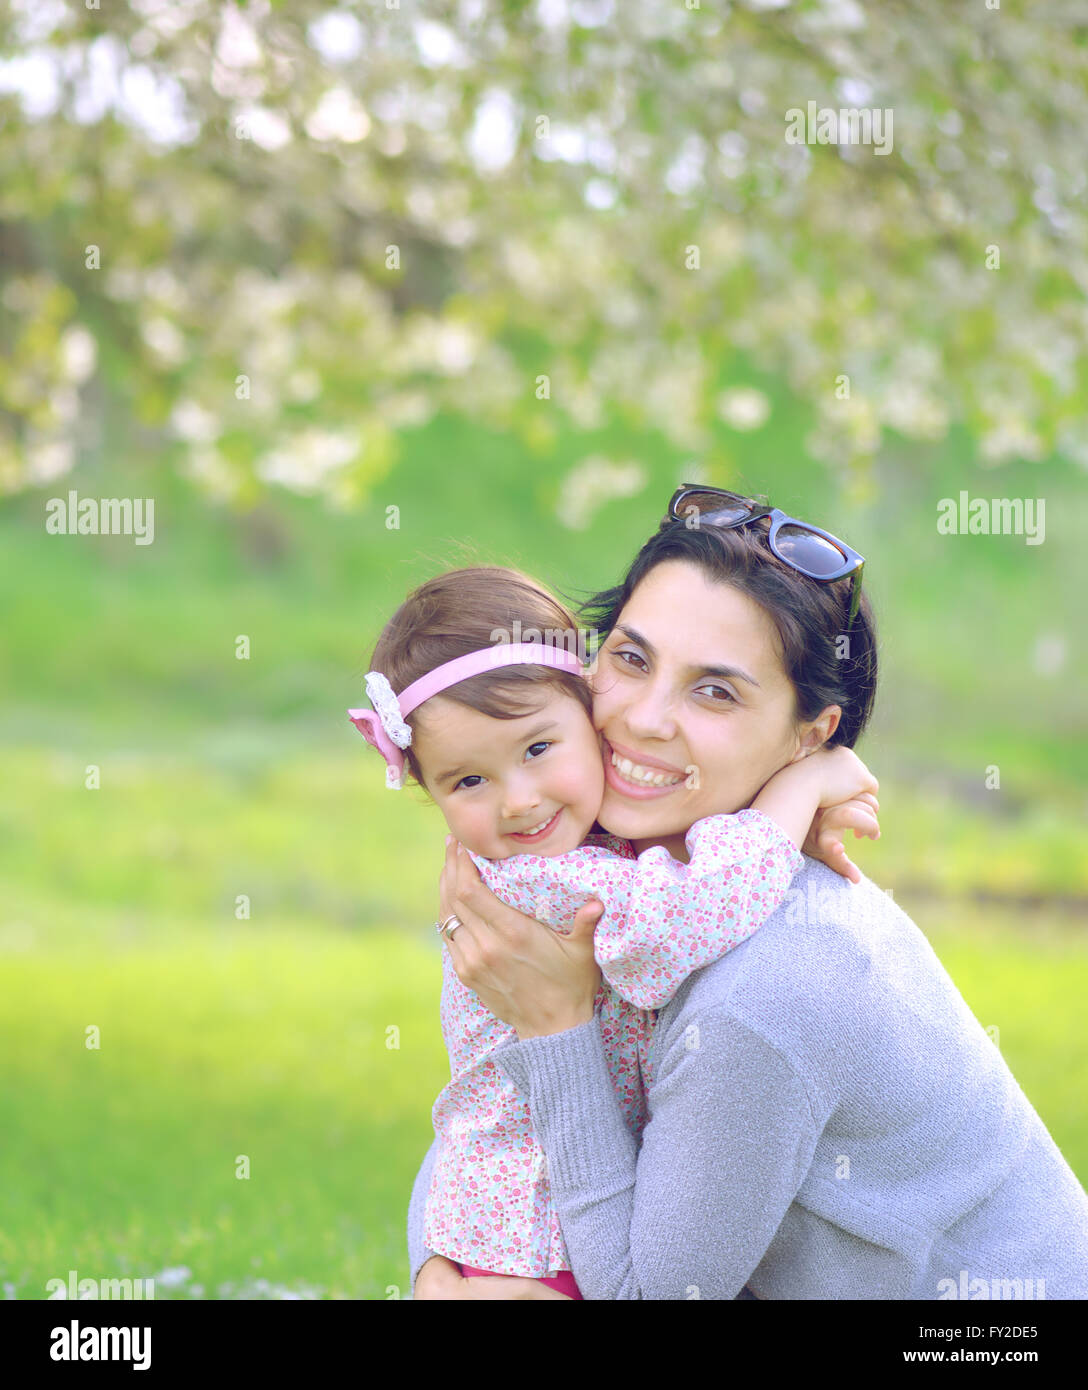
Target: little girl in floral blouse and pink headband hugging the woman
<point x="498" y="729"/>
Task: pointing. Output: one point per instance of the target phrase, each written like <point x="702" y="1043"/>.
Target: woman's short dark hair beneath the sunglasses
<point x="825" y="664"/>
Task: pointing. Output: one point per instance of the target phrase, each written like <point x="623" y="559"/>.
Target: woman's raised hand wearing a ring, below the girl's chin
<point x="527" y="975"/>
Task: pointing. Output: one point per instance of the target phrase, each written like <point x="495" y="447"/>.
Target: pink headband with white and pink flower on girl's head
<point x="387" y="729"/>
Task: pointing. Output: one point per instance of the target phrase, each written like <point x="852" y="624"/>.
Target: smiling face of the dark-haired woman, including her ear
<point x="691" y="689"/>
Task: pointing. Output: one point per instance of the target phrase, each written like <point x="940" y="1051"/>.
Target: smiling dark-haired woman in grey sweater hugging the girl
<point x="827" y="1117"/>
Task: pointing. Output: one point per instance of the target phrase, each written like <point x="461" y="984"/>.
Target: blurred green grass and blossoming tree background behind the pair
<point x="359" y="294"/>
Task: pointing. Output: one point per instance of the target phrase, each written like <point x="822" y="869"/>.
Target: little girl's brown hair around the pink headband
<point x="465" y="611"/>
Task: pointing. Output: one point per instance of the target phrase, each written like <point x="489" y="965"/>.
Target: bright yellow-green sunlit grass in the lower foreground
<point x="274" y="1043"/>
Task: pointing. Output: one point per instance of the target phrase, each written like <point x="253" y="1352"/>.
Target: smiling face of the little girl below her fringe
<point x="497" y="778"/>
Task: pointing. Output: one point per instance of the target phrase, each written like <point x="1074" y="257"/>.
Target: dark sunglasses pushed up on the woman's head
<point x="805" y="547"/>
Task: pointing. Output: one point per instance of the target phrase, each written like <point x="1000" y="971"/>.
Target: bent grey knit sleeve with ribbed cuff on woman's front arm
<point x="693" y="1211"/>
